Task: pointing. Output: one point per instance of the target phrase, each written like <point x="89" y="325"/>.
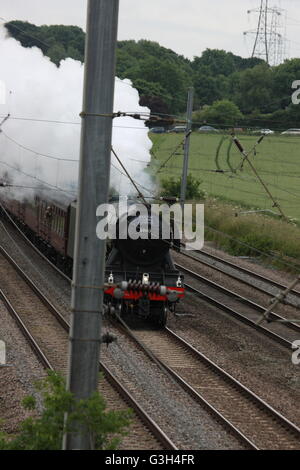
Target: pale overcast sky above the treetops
<point x="188" y="27"/>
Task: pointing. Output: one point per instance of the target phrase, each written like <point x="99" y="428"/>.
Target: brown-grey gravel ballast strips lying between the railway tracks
<point x="250" y="357"/>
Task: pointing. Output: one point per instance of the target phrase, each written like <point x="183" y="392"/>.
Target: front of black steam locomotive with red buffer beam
<point x="140" y="271"/>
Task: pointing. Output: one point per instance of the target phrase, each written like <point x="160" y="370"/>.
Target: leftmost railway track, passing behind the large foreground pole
<point x="47" y="333"/>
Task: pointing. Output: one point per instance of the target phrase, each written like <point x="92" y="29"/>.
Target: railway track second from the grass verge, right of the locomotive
<point x="280" y="330"/>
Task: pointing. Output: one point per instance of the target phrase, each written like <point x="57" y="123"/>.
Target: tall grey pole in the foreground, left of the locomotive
<point x="94" y="175"/>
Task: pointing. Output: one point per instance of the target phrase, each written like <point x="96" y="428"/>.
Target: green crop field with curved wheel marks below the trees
<point x="277" y="161"/>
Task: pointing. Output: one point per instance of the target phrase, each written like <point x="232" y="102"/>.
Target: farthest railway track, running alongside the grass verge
<point x="243" y="275"/>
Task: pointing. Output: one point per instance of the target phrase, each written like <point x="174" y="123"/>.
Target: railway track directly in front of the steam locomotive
<point x="210" y="394"/>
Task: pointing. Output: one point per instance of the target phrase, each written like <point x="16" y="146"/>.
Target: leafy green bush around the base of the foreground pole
<point x="45" y="432"/>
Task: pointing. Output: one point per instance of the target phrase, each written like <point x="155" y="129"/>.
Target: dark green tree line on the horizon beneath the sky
<point x="229" y="90"/>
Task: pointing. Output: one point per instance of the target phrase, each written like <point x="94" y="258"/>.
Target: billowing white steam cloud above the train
<point x="35" y="89"/>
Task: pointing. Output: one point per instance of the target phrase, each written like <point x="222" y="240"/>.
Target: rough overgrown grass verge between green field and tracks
<point x="255" y="235"/>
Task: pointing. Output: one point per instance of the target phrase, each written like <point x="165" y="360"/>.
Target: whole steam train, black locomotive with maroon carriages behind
<point x="140" y="277"/>
